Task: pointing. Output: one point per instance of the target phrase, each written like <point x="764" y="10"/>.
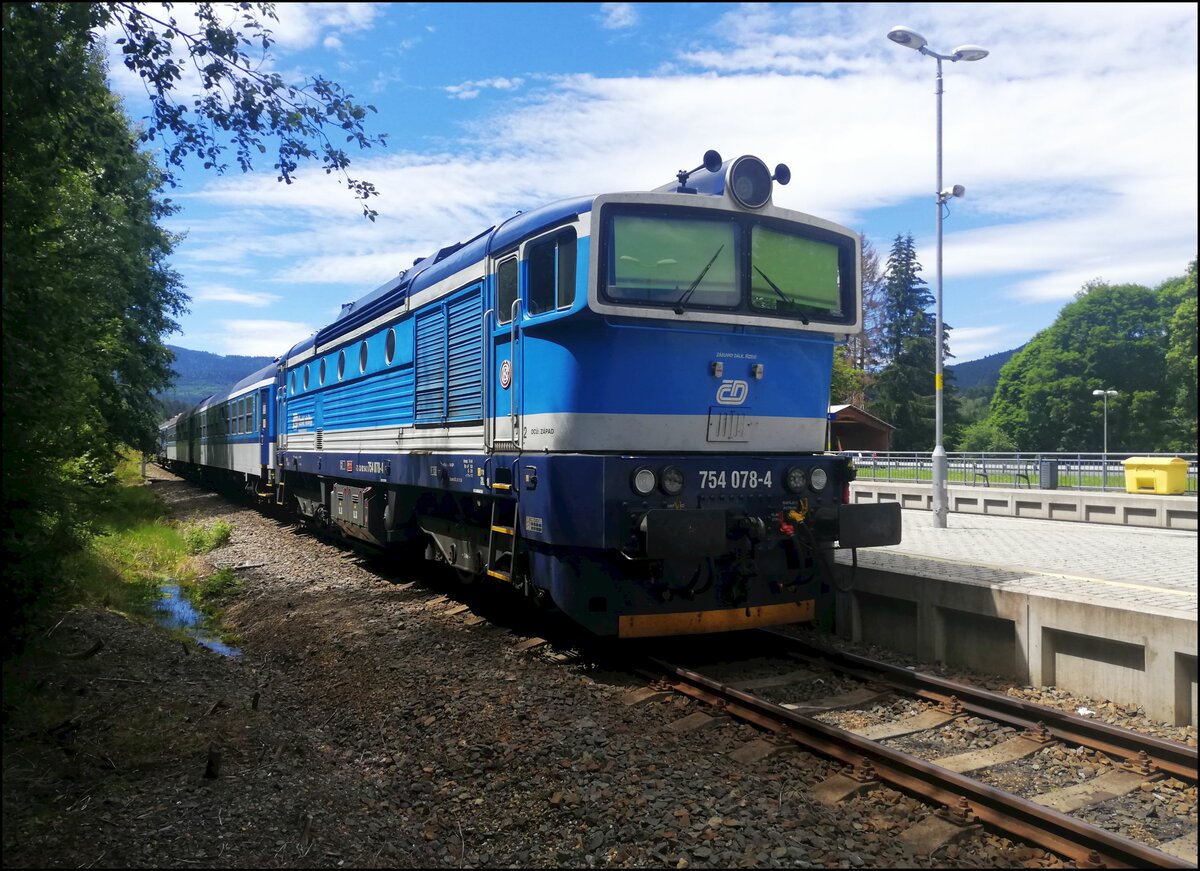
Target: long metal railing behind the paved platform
<point x="1036" y="471"/>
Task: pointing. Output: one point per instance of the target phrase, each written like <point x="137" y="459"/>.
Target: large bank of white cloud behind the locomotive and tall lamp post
<point x="1077" y="146"/>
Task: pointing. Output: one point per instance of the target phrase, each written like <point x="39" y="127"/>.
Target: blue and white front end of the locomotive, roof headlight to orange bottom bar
<point x="688" y="403"/>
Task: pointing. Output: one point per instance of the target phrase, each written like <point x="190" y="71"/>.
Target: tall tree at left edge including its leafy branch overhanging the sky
<point x="88" y="292"/>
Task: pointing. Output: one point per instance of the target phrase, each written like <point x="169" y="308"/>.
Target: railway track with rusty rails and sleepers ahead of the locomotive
<point x="956" y="784"/>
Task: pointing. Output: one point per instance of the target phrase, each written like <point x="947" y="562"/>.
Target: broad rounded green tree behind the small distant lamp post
<point x="1109" y="338"/>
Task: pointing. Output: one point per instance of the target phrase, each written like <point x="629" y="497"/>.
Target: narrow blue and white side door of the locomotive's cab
<point x="505" y="397"/>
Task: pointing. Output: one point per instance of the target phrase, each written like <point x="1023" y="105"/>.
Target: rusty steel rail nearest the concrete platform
<point x="1168" y="756"/>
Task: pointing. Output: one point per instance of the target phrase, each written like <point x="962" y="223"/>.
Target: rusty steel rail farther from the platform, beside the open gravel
<point x="1012" y="814"/>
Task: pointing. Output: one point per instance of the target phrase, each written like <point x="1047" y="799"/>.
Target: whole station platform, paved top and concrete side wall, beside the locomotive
<point x="1097" y="610"/>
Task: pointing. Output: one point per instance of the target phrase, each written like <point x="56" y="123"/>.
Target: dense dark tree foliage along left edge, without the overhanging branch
<point x="87" y="290"/>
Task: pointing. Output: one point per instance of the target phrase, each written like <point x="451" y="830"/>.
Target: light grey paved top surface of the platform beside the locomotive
<point x="1125" y="567"/>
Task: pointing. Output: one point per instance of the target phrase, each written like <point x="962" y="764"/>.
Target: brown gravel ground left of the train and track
<point x="371" y="722"/>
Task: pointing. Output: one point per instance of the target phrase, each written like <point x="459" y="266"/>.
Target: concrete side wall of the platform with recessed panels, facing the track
<point x="1142" y="657"/>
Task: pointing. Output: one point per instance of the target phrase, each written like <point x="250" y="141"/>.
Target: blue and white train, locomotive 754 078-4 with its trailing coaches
<point x="617" y="404"/>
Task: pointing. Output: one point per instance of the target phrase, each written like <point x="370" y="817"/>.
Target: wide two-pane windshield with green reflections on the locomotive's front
<point x="733" y="263"/>
